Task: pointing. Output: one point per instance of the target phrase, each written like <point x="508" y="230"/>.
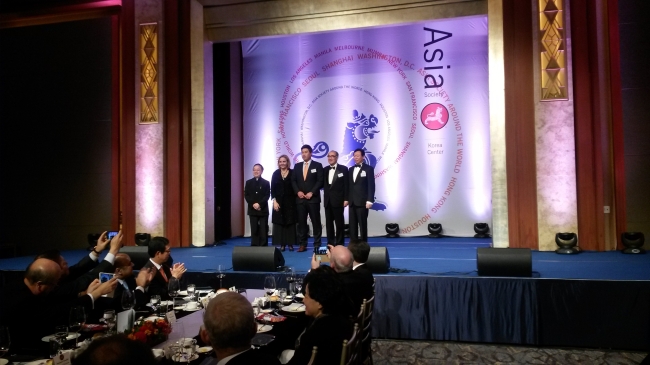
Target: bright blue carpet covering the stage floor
<point x="447" y="256"/>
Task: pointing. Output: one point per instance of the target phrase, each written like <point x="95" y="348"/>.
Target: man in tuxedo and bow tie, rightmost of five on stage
<point x="362" y="195"/>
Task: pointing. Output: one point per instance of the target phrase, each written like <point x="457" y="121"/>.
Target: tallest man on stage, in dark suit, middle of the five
<point x="307" y="180"/>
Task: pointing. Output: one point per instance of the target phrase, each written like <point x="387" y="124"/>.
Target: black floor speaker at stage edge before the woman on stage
<point x="254" y="258"/>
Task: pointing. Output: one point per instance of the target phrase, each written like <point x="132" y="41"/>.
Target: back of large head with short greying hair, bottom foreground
<point x="229" y="322"/>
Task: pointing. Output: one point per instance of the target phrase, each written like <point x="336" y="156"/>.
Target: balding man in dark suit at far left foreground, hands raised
<point x="29" y="312"/>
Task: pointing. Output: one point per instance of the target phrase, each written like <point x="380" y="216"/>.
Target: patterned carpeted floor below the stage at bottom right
<point x="389" y="352"/>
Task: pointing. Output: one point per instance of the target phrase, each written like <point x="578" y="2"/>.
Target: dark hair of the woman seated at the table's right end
<point x="326" y="288"/>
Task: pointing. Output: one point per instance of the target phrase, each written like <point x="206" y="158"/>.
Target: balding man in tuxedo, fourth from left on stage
<point x="335" y="198"/>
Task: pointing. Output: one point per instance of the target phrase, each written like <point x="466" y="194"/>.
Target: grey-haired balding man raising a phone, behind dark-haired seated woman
<point x="356" y="285"/>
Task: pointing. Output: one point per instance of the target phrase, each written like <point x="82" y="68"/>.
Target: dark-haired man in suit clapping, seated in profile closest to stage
<point x="159" y="252"/>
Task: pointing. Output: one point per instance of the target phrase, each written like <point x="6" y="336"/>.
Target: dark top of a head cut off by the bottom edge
<point x="116" y="350"/>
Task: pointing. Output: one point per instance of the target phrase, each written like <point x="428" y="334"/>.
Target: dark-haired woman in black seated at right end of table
<point x="328" y="304"/>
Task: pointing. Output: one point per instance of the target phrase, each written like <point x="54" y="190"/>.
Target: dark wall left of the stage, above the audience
<point x="55" y="134"/>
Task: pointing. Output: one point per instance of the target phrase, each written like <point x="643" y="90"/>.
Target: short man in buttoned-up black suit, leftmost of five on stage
<point x="257" y="192"/>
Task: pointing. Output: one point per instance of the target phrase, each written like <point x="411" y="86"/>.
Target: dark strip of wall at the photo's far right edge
<point x="635" y="79"/>
